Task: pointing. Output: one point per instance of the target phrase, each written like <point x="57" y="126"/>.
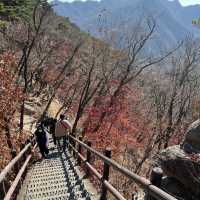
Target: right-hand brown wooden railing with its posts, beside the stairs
<point x="154" y="193"/>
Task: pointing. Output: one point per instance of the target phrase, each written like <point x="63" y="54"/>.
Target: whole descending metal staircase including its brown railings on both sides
<point x="58" y="177"/>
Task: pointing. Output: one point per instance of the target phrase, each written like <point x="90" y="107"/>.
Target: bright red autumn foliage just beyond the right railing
<point x="120" y="126"/>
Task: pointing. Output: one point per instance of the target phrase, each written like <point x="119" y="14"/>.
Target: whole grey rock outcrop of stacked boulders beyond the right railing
<point x="181" y="165"/>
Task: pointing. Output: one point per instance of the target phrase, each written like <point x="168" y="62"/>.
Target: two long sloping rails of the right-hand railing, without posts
<point x="154" y="191"/>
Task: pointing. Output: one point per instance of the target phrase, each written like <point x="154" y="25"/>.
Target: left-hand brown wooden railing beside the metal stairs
<point x="24" y="156"/>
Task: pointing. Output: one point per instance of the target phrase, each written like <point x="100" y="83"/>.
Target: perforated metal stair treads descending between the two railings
<point x="54" y="178"/>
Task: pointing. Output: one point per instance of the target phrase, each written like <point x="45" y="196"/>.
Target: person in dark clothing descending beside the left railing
<point x="42" y="140"/>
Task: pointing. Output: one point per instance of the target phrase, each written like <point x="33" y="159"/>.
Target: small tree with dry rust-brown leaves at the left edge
<point x="11" y="96"/>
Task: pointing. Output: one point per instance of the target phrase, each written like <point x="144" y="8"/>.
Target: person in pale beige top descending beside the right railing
<point x="63" y="127"/>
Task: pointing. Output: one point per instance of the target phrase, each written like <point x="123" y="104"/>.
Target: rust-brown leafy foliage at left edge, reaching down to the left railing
<point x="11" y="95"/>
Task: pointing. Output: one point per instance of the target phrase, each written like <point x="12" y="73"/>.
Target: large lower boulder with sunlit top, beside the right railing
<point x="179" y="165"/>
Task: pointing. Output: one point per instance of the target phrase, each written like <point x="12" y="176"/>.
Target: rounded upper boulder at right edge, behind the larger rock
<point x="192" y="136"/>
